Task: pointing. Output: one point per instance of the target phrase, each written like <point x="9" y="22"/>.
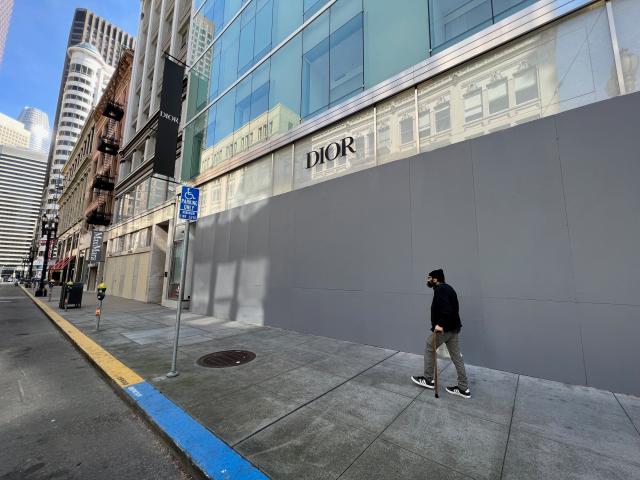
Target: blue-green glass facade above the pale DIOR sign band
<point x="273" y="64"/>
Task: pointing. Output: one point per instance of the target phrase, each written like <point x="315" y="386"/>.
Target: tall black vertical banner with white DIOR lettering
<point x="169" y="120"/>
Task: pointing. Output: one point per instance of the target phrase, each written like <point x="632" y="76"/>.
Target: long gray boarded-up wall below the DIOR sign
<point x="535" y="226"/>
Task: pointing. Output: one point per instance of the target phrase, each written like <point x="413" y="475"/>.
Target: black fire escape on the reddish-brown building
<point x="99" y="211"/>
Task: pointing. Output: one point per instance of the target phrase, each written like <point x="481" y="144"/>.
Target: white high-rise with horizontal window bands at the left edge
<point x="22" y="176"/>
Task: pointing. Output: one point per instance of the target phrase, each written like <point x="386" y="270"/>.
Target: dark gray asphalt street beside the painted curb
<point x="59" y="419"/>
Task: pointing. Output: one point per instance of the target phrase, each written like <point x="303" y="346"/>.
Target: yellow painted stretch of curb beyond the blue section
<point x="114" y="368"/>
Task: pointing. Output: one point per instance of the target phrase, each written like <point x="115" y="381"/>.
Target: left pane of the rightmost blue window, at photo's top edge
<point x="453" y="20"/>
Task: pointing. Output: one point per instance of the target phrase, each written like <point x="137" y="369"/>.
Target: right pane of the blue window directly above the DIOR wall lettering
<point x="346" y="68"/>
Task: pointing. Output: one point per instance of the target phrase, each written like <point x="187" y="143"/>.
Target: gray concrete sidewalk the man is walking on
<point x="310" y="407"/>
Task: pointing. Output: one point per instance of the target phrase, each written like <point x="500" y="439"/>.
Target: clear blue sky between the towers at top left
<point x="35" y="49"/>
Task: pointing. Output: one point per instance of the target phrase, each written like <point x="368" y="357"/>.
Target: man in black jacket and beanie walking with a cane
<point x="446" y="325"/>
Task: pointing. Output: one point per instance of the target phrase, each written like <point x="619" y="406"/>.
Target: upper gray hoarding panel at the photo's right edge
<point x="601" y="167"/>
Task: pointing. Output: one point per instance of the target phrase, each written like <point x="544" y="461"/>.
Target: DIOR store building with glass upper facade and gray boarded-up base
<point x="344" y="148"/>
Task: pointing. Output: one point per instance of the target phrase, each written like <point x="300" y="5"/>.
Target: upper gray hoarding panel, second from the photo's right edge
<point x="523" y="237"/>
